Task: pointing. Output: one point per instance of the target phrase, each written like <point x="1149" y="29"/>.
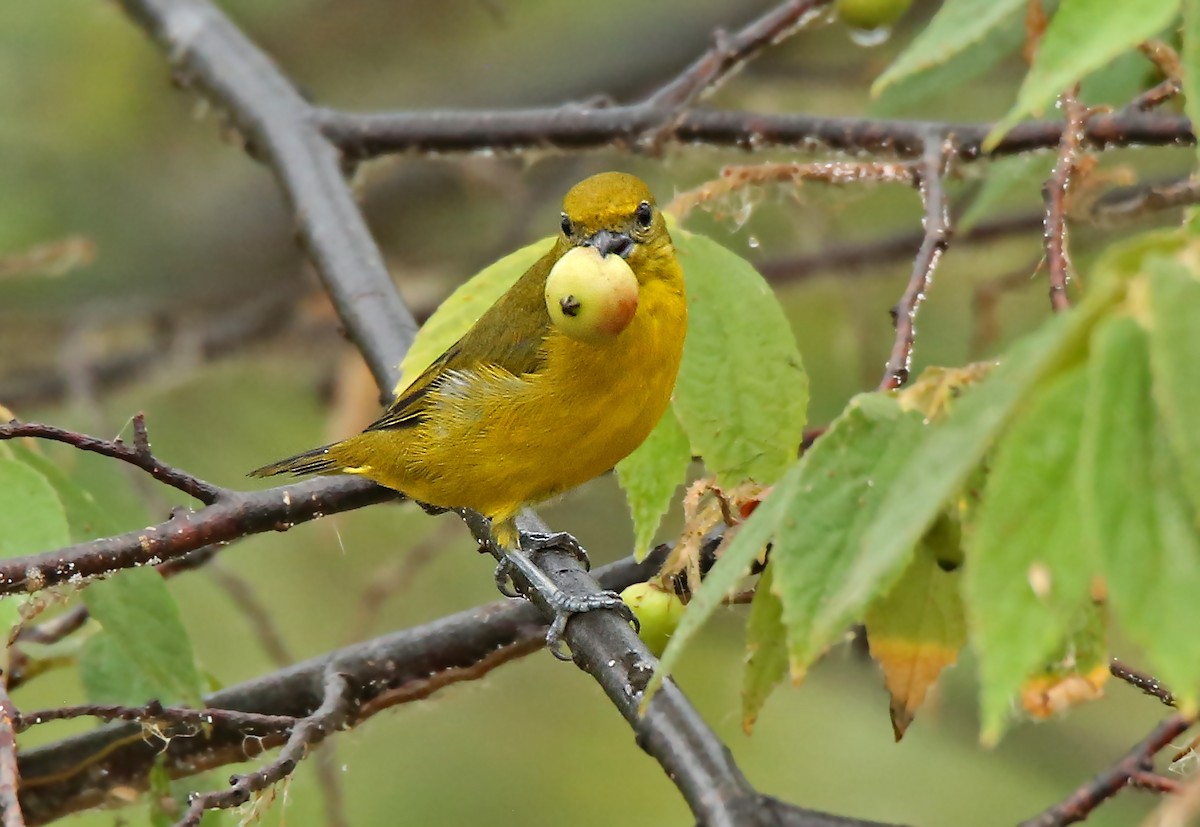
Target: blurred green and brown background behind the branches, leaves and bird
<point x="200" y="311"/>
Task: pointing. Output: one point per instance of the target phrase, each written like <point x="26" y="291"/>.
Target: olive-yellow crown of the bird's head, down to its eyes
<point x="616" y="202"/>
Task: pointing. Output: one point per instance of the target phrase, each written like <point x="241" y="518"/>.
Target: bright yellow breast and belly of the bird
<point x="495" y="442"/>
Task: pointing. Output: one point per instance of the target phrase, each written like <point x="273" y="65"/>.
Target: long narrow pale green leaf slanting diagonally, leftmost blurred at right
<point x="955" y="447"/>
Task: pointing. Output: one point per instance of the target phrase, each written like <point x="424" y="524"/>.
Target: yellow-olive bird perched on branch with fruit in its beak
<point x="563" y="377"/>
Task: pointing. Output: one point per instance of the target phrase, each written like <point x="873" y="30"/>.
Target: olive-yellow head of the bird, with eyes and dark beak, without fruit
<point x="616" y="214"/>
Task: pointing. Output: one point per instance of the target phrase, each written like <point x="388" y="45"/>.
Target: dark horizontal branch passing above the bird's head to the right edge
<point x="578" y="128"/>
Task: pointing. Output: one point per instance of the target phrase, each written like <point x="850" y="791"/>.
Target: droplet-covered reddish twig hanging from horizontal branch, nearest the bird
<point x="938" y="238"/>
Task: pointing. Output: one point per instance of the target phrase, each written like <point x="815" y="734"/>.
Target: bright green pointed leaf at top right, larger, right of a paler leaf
<point x="1083" y="37"/>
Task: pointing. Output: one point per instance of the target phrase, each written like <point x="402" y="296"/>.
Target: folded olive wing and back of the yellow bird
<point x="508" y="337"/>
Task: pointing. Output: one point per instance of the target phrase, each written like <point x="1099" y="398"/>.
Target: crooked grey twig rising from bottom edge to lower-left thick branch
<point x="332" y="716"/>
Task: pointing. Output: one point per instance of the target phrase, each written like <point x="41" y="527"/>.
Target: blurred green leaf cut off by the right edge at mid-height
<point x="1174" y="361"/>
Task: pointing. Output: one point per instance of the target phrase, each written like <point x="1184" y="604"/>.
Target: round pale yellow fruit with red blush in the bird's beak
<point x="591" y="297"/>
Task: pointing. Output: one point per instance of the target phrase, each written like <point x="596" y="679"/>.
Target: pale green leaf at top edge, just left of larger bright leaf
<point x="957" y="27"/>
